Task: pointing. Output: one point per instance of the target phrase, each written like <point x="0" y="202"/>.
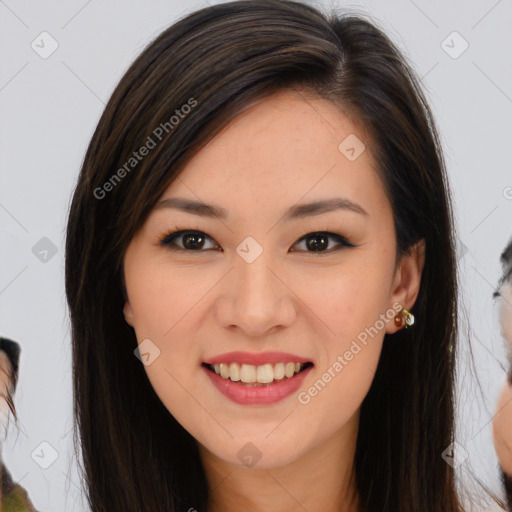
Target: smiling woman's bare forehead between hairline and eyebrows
<point x="285" y="147"/>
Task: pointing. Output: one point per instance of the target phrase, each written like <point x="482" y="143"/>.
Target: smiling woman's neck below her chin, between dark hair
<point x="322" y="479"/>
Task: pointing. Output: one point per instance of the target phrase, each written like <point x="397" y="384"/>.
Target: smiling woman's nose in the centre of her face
<point x="256" y="298"/>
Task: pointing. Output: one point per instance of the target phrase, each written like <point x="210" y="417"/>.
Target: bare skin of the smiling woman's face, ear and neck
<point x="195" y="305"/>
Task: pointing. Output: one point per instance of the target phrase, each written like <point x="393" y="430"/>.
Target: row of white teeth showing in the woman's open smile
<point x="257" y="376"/>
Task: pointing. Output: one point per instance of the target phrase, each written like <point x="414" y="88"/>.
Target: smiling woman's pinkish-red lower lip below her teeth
<point x="257" y="395"/>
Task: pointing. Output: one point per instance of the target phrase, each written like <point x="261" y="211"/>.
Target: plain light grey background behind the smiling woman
<point x="50" y="107"/>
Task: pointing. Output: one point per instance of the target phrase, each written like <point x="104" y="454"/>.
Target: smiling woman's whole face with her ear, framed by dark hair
<point x="251" y="282"/>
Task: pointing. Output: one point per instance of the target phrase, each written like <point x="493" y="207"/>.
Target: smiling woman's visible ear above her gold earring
<point x="406" y="283"/>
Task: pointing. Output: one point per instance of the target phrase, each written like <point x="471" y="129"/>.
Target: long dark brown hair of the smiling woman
<point x="136" y="456"/>
